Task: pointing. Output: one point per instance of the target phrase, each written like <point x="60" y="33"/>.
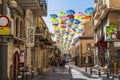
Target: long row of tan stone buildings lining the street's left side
<point x="21" y="57"/>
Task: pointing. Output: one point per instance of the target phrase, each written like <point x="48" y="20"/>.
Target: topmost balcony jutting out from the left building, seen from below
<point x="39" y="7"/>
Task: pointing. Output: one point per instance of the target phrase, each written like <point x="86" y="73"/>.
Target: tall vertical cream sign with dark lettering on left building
<point x="30" y="36"/>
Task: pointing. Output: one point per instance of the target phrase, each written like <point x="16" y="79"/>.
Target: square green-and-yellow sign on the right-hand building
<point x="111" y="33"/>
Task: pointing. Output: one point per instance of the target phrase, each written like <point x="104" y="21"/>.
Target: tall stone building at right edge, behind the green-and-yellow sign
<point x="106" y="16"/>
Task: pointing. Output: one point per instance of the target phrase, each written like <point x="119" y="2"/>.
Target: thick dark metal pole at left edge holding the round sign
<point x="3" y="50"/>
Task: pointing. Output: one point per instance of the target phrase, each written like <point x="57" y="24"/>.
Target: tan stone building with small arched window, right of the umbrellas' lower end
<point x="83" y="47"/>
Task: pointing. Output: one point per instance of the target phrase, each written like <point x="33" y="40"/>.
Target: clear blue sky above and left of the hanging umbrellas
<point x="55" y="6"/>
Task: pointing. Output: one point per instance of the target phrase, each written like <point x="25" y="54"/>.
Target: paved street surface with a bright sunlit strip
<point x="75" y="74"/>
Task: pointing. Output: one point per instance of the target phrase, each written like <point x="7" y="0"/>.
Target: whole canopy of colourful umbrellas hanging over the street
<point x="69" y="24"/>
